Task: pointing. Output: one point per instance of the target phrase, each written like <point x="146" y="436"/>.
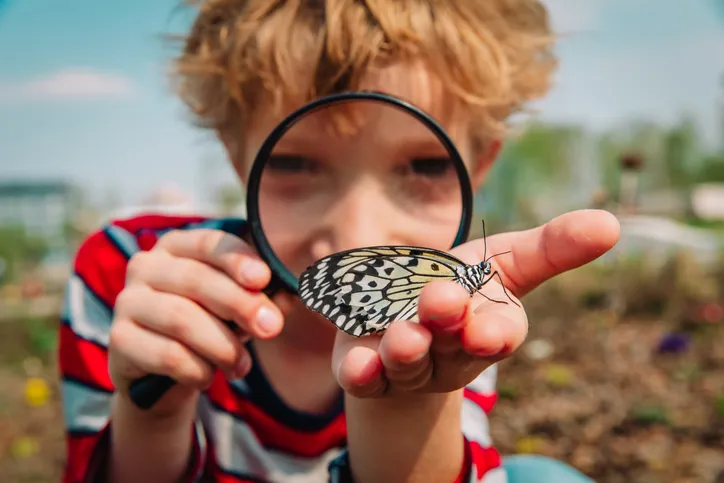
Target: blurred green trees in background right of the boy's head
<point x="538" y="172"/>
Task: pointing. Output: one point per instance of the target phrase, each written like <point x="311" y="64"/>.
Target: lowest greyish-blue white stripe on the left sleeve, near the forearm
<point x="84" y="408"/>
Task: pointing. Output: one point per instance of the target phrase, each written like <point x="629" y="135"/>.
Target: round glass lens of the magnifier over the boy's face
<point x="357" y="174"/>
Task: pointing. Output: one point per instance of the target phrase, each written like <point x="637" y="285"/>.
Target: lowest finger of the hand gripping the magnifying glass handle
<point x="152" y="353"/>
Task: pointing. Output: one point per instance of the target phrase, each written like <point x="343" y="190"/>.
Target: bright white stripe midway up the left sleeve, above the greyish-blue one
<point x="88" y="316"/>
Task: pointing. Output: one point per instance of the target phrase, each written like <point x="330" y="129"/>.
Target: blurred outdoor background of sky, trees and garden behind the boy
<point x="622" y="375"/>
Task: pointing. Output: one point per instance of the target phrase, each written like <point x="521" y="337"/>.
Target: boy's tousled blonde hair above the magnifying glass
<point x="492" y="56"/>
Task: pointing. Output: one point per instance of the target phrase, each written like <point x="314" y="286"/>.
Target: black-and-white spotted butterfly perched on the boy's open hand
<point x="363" y="290"/>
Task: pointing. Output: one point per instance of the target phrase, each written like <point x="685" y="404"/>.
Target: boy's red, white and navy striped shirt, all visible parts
<point x="243" y="431"/>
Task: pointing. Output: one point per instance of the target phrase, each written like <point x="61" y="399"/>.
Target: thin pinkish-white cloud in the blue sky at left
<point x="70" y="83"/>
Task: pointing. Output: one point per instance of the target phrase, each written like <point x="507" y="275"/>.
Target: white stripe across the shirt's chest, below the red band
<point x="239" y="451"/>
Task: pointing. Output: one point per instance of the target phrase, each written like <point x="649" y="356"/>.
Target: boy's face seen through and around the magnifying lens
<point x="388" y="181"/>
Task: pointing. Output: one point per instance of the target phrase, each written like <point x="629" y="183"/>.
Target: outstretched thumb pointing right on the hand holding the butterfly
<point x="564" y="243"/>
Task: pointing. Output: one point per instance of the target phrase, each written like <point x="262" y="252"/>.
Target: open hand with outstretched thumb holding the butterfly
<point x="458" y="336"/>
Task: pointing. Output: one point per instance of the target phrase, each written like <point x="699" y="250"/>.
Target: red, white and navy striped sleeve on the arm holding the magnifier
<point x="97" y="276"/>
